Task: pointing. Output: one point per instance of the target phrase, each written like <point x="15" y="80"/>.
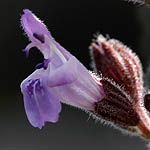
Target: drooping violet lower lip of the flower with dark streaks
<point x="41" y="103"/>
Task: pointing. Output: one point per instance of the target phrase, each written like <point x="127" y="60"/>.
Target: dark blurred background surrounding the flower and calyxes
<point x="73" y="24"/>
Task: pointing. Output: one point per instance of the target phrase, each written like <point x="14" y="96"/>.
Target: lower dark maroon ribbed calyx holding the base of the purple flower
<point x="116" y="106"/>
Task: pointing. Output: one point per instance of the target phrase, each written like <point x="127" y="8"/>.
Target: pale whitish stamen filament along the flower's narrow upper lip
<point x="55" y="49"/>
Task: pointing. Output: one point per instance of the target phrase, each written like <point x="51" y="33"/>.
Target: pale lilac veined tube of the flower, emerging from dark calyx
<point x="82" y="92"/>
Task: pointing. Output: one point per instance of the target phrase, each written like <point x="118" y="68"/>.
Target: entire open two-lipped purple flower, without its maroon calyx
<point x="60" y="78"/>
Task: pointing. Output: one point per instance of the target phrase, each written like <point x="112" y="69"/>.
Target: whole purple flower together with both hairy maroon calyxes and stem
<point x="117" y="96"/>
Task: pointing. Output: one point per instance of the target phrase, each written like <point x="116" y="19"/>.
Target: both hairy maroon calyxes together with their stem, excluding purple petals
<point x="122" y="80"/>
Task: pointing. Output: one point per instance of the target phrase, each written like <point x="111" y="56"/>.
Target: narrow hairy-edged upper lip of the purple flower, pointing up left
<point x="39" y="35"/>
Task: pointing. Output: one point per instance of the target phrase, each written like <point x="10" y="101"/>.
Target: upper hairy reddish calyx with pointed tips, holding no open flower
<point x="115" y="61"/>
